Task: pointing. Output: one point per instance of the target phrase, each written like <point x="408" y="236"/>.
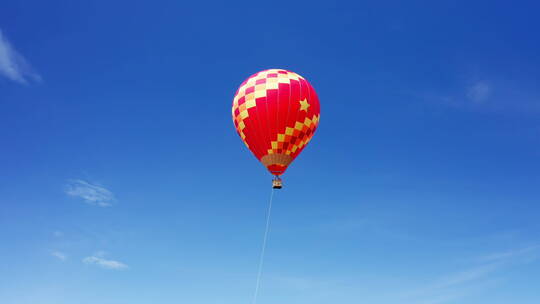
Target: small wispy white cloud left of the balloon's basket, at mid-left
<point x="91" y="193"/>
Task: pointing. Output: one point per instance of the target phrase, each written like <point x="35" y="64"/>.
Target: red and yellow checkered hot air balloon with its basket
<point x="276" y="113"/>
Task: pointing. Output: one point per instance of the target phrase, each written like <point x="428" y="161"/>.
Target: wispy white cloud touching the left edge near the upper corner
<point x="13" y="65"/>
